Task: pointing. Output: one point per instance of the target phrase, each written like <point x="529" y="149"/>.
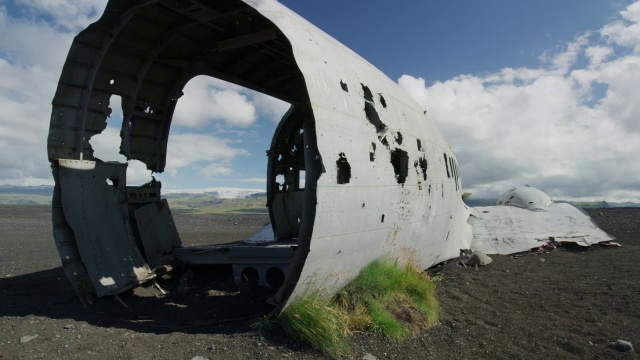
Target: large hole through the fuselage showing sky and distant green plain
<point x="218" y="139"/>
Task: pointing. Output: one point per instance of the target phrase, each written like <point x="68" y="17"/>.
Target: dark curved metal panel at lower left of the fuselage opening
<point x="98" y="215"/>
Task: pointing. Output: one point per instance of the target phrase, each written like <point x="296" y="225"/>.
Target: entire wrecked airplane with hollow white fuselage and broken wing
<point x="366" y="172"/>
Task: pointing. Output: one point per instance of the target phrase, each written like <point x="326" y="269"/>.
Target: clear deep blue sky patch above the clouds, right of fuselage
<point x="442" y="39"/>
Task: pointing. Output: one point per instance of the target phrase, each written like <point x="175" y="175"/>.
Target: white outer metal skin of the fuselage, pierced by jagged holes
<point x="346" y="235"/>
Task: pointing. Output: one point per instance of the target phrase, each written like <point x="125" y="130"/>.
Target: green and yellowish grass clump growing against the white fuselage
<point x="386" y="298"/>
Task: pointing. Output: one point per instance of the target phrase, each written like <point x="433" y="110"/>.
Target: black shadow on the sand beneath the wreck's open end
<point x="210" y="304"/>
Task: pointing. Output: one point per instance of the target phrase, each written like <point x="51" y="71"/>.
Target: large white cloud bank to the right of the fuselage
<point x="552" y="127"/>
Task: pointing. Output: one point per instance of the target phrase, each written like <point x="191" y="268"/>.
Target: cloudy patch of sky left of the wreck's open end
<point x="28" y="75"/>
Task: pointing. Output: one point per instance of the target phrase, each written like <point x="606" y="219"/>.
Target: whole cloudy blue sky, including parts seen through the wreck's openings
<point x="540" y="92"/>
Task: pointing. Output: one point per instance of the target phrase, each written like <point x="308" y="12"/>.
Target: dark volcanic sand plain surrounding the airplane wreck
<point x="564" y="304"/>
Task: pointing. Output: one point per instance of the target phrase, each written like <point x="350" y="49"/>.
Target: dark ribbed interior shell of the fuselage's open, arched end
<point x="146" y="52"/>
